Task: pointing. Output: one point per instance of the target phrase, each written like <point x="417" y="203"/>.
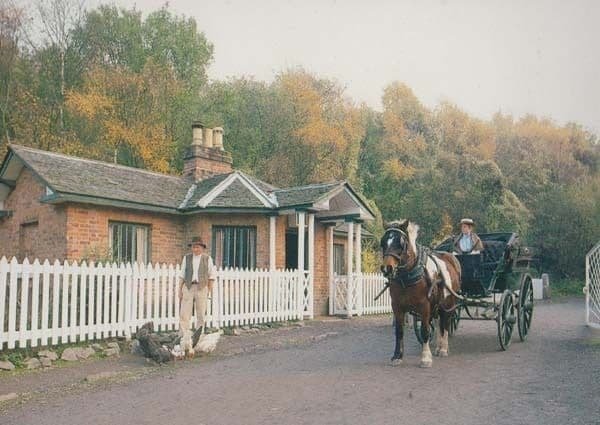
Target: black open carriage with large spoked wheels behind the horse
<point x="504" y="270"/>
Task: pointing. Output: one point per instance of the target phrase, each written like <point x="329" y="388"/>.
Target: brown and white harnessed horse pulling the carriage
<point x="421" y="282"/>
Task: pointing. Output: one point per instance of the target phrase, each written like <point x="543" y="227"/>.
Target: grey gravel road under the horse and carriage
<point x="337" y="372"/>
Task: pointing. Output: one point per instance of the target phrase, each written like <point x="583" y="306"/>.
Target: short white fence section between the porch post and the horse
<point x="364" y="287"/>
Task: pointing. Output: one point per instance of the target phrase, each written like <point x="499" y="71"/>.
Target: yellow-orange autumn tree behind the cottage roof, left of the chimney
<point x="123" y="116"/>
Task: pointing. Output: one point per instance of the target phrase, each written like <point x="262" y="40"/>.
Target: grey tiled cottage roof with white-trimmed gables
<point x="76" y="179"/>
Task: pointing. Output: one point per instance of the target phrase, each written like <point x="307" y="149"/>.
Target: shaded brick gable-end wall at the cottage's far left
<point x="20" y="236"/>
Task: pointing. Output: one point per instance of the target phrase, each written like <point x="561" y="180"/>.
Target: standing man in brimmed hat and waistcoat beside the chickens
<point x="197" y="277"/>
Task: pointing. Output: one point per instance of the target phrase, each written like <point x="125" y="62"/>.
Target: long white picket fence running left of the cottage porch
<point x="46" y="304"/>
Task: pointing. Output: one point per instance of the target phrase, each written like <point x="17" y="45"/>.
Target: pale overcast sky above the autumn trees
<point x="517" y="57"/>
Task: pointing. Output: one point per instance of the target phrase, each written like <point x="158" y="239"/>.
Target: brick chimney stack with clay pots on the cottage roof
<point x="206" y="156"/>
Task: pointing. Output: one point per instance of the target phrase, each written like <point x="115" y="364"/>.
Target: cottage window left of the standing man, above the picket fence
<point x="129" y="242"/>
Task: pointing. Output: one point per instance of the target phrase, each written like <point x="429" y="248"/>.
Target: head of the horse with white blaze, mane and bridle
<point x="398" y="246"/>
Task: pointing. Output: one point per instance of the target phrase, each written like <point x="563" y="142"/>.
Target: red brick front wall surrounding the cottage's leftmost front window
<point x="87" y="231"/>
